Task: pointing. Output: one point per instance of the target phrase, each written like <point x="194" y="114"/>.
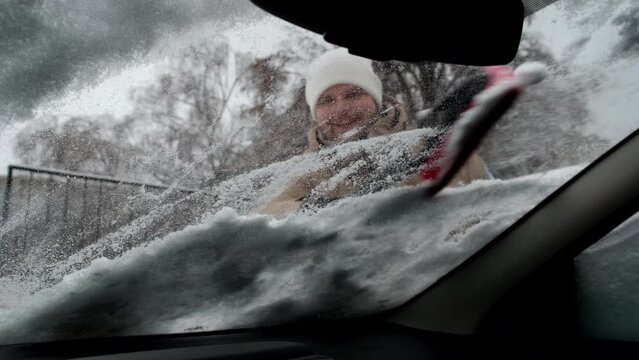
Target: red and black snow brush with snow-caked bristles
<point x="467" y="114"/>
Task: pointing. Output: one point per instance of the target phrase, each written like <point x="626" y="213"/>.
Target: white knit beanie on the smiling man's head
<point x="339" y="67"/>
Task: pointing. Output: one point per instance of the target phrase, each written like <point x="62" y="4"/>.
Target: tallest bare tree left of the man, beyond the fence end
<point x="193" y="134"/>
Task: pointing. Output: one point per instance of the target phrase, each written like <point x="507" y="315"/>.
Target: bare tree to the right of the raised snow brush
<point x="546" y="128"/>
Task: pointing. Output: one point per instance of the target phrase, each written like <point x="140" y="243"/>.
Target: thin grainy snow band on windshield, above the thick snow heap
<point x="369" y="165"/>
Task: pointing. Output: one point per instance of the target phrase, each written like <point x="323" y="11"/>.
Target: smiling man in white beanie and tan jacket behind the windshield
<point x="345" y="100"/>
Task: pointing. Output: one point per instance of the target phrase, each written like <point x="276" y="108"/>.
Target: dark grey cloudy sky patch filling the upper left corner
<point x="48" y="45"/>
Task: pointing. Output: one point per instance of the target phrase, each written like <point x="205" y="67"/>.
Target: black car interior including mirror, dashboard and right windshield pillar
<point x="515" y="298"/>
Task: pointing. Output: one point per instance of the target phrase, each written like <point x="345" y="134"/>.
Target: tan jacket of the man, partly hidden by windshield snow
<point x="392" y="120"/>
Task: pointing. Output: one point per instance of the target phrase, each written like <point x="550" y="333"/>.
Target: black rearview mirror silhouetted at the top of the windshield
<point x="451" y="31"/>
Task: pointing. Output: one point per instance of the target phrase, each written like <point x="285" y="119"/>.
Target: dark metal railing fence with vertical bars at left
<point x="52" y="213"/>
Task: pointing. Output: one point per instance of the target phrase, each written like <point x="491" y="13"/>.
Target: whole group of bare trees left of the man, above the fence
<point x="183" y="128"/>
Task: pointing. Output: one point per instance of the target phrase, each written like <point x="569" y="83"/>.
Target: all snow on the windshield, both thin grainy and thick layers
<point x="355" y="256"/>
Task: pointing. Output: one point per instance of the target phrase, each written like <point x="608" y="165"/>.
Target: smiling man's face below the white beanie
<point x="341" y="108"/>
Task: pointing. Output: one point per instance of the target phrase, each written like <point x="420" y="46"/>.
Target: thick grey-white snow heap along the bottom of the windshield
<point x="357" y="256"/>
